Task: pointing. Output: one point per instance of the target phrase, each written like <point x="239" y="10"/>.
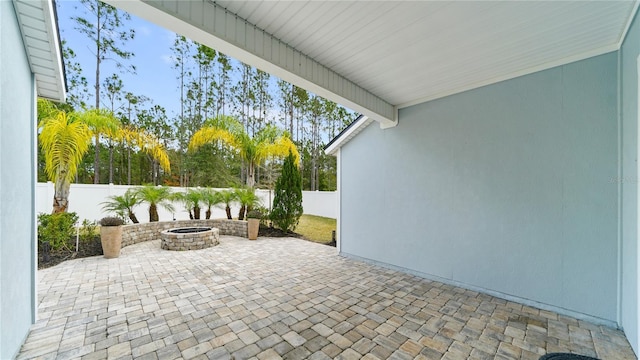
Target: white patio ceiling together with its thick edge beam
<point x="378" y="56"/>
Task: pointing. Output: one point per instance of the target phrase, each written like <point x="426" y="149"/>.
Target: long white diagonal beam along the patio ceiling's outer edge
<point x="210" y="24"/>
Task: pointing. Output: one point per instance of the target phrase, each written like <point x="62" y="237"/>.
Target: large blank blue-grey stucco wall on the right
<point x="510" y="189"/>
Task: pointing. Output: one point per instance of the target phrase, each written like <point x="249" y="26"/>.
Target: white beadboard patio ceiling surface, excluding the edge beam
<point x="409" y="51"/>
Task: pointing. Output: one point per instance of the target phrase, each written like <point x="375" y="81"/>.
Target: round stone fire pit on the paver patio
<point x="189" y="238"/>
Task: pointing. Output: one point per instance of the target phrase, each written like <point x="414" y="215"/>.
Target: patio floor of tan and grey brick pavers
<point x="284" y="298"/>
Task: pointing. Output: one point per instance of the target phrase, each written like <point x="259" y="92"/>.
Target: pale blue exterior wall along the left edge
<point x="17" y="219"/>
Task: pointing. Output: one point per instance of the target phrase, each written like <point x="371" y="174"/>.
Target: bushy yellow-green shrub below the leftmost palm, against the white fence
<point x="56" y="229"/>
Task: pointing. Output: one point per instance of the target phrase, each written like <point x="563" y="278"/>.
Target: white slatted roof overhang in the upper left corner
<point x="39" y="28"/>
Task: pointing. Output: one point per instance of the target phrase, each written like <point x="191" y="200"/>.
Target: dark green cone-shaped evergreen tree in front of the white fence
<point x="287" y="202"/>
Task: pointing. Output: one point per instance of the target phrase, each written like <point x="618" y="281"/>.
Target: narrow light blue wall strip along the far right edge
<point x="629" y="182"/>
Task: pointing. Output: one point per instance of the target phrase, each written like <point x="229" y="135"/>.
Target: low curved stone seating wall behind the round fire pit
<point x="137" y="233"/>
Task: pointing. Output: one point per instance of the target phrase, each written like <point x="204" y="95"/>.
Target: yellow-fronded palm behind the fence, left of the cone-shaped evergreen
<point x="269" y="141"/>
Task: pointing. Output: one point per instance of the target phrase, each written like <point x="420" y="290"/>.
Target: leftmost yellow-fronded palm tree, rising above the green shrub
<point x="64" y="138"/>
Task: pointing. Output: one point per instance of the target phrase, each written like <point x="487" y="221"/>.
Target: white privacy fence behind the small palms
<point x="86" y="199"/>
